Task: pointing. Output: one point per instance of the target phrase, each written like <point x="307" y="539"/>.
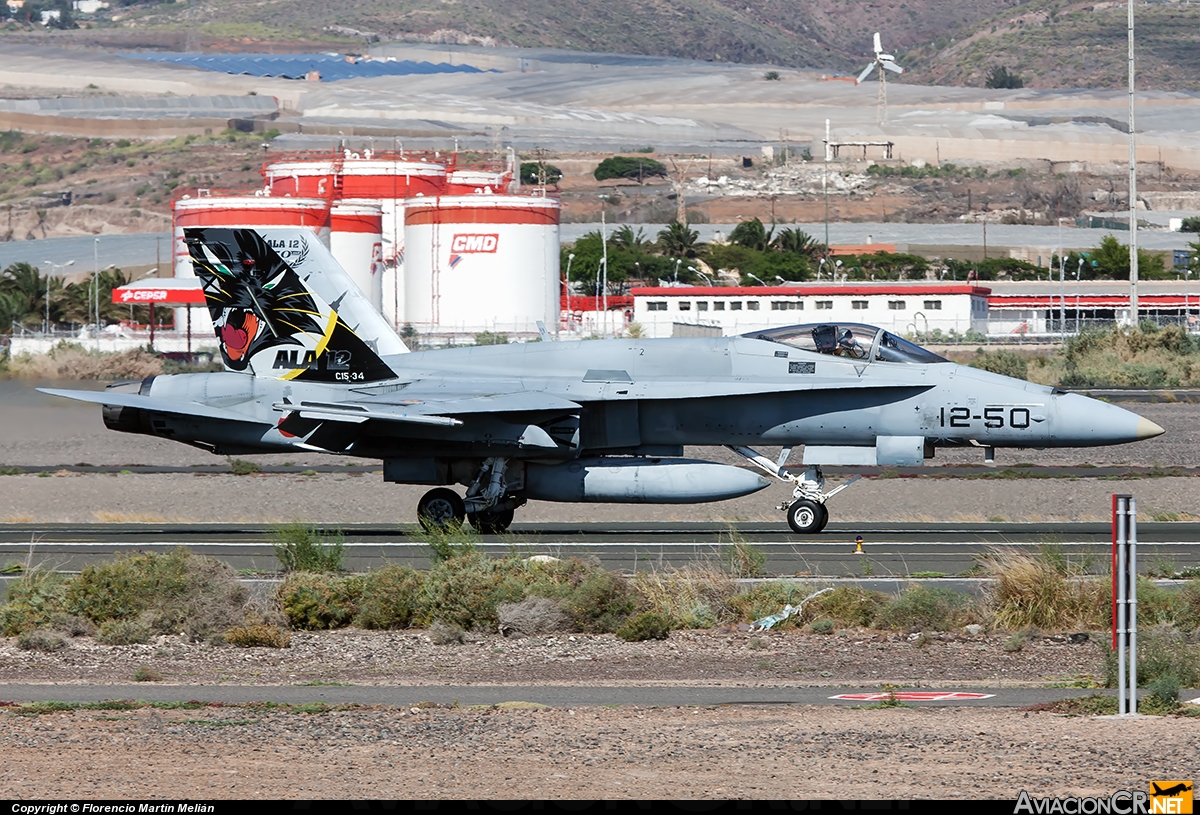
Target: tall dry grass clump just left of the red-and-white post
<point x="1039" y="592"/>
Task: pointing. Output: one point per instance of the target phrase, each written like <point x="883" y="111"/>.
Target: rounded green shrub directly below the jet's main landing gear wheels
<point x="465" y="591"/>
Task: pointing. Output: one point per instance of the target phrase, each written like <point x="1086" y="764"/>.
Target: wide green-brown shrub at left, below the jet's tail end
<point x="171" y="594"/>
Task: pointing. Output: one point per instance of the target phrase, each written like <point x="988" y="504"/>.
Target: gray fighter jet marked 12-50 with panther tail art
<point x="313" y="367"/>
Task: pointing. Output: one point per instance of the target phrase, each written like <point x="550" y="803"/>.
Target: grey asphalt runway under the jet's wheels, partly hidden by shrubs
<point x="890" y="550"/>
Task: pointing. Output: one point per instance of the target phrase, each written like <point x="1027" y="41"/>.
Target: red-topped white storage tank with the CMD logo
<point x="482" y="263"/>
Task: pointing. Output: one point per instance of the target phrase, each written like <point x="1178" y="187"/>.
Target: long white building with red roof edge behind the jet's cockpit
<point x="897" y="307"/>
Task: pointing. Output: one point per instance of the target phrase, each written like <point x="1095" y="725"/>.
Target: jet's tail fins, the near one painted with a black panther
<point x="284" y="309"/>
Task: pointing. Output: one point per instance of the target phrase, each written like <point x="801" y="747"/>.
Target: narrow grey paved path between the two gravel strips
<point x="551" y="696"/>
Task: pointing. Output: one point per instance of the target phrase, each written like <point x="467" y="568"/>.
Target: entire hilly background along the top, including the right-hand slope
<point x="1049" y="44"/>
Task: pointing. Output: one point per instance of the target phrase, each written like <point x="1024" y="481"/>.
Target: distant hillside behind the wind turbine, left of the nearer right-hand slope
<point x="819" y="34"/>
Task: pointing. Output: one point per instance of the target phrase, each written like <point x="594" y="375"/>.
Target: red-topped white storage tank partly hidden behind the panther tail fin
<point x="237" y="212"/>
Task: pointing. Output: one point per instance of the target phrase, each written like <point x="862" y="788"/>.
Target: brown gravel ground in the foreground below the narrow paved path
<point x="589" y="753"/>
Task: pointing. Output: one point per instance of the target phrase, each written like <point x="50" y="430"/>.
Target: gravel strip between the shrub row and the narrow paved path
<point x="704" y="657"/>
